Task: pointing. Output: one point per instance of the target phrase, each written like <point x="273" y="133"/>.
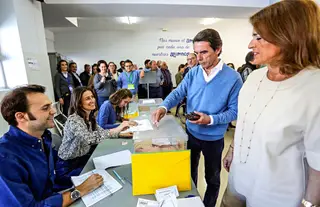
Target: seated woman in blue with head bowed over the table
<point x="114" y="109"/>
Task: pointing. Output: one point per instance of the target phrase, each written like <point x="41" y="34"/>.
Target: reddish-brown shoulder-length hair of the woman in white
<point x="293" y="26"/>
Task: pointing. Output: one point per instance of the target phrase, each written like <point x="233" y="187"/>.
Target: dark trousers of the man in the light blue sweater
<point x="212" y="152"/>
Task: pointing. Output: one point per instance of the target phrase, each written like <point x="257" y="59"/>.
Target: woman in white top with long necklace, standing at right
<point x="275" y="157"/>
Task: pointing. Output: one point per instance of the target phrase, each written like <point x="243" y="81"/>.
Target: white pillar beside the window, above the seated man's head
<point x="33" y="41"/>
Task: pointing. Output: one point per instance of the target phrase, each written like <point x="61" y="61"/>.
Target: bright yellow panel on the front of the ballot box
<point x="151" y="171"/>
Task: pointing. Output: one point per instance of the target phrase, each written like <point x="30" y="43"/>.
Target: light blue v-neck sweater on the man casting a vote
<point x="218" y="97"/>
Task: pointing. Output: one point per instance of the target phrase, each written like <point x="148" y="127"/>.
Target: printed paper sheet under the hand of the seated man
<point x="110" y="186"/>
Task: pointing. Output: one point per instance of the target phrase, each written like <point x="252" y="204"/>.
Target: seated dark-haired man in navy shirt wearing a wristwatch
<point x="26" y="158"/>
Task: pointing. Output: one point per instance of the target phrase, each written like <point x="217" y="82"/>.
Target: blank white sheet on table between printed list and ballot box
<point x="112" y="160"/>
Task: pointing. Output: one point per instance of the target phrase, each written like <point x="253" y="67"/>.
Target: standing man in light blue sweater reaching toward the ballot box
<point x="212" y="89"/>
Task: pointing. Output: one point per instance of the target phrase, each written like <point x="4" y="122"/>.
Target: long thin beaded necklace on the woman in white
<point x="254" y="123"/>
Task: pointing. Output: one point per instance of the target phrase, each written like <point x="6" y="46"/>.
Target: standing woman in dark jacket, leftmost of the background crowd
<point x="63" y="85"/>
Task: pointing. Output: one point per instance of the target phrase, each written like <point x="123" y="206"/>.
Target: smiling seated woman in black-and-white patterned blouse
<point x="81" y="135"/>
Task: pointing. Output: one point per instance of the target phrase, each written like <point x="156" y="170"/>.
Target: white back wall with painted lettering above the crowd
<point x="89" y="47"/>
